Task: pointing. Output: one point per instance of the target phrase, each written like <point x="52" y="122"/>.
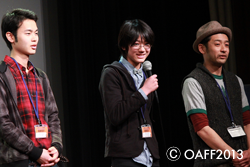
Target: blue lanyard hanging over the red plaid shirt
<point x="35" y="109"/>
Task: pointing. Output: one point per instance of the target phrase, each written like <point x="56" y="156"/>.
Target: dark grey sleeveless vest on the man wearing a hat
<point x="218" y="113"/>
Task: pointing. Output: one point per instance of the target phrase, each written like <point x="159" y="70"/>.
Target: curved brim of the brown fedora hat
<point x="223" y="30"/>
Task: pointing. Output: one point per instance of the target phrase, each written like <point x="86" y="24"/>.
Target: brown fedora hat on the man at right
<point x="210" y="28"/>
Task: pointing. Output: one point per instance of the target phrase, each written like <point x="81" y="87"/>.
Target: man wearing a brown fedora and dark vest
<point x="216" y="104"/>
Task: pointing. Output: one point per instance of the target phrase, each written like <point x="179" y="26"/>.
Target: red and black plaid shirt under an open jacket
<point x="24" y="104"/>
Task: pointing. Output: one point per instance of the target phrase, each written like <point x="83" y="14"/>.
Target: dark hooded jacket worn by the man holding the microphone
<point x="123" y="118"/>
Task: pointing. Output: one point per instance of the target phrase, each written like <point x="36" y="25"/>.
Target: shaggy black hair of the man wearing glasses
<point x="129" y="33"/>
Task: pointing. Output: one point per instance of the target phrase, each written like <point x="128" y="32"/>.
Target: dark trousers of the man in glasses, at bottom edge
<point x="128" y="162"/>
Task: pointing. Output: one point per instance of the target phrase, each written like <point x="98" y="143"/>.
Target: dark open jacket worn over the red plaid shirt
<point x="15" y="145"/>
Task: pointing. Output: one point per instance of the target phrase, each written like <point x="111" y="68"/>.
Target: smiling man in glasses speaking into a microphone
<point x="127" y="99"/>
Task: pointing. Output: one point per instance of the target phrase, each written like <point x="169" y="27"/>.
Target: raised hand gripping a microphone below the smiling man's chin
<point x="151" y="83"/>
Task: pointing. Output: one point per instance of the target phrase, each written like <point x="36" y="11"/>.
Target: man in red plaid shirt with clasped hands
<point x="30" y="132"/>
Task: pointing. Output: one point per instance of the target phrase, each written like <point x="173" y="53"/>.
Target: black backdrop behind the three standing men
<point x="82" y="37"/>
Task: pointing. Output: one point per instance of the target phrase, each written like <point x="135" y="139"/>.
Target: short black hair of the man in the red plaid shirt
<point x="11" y="21"/>
